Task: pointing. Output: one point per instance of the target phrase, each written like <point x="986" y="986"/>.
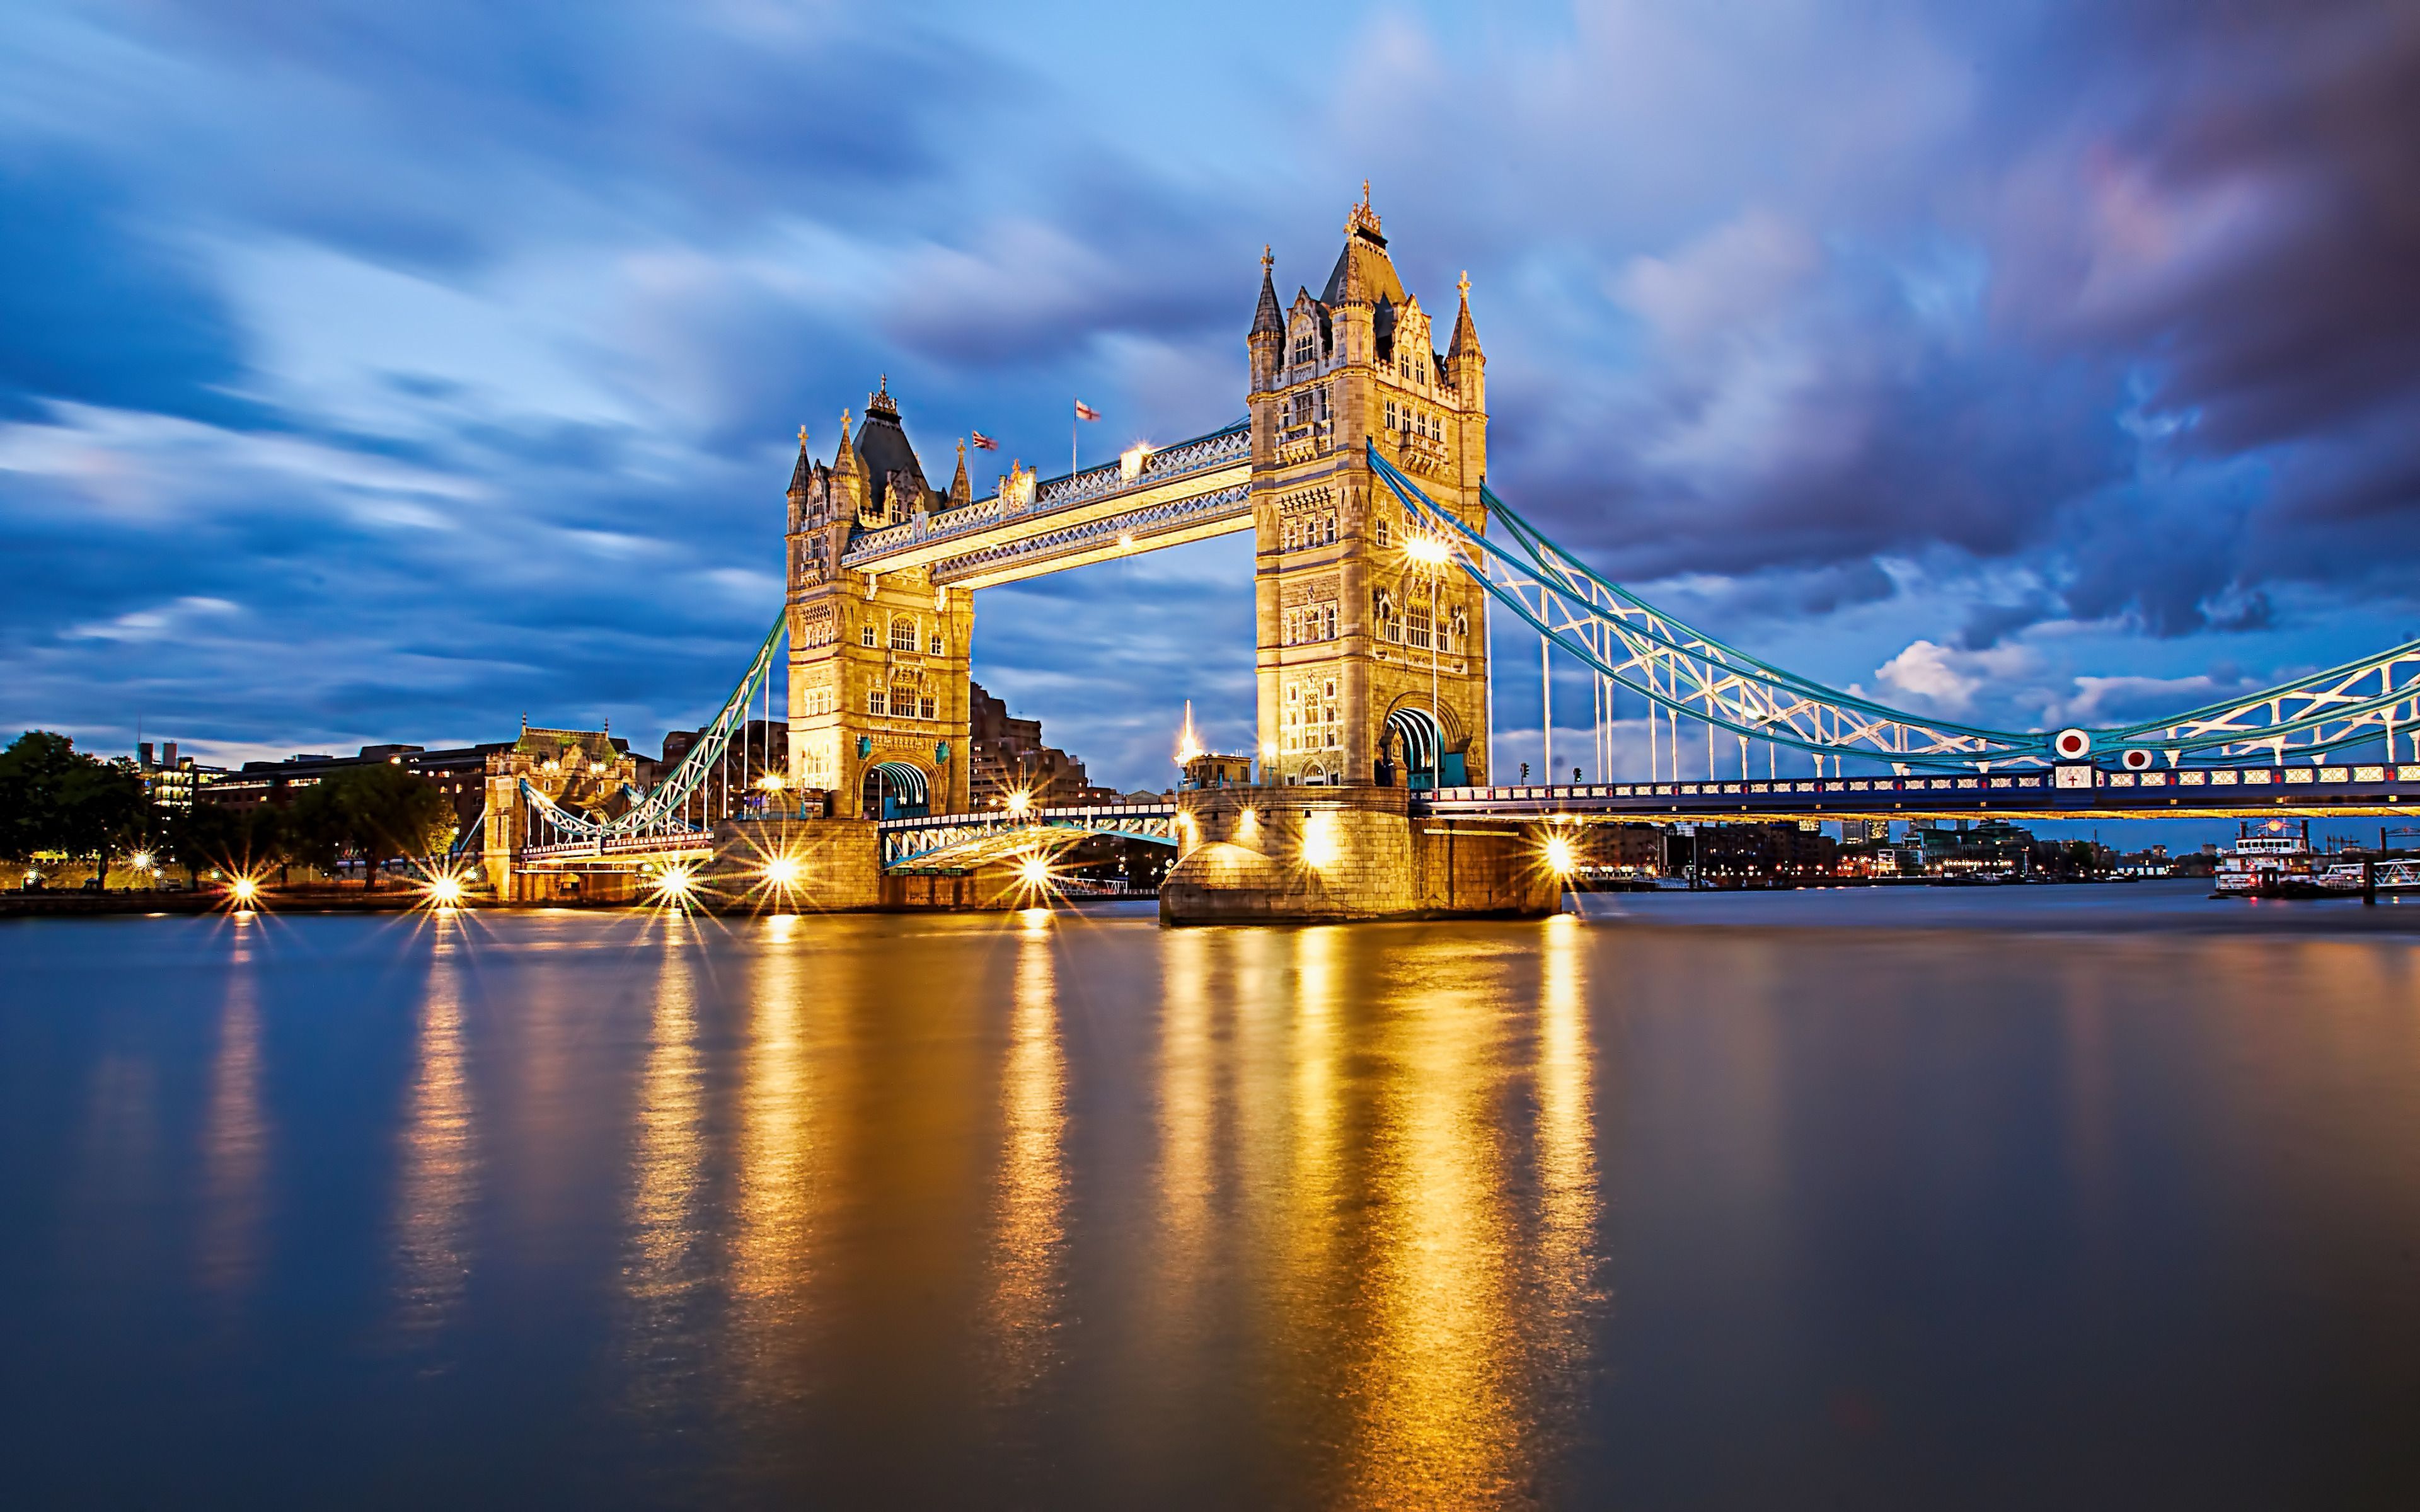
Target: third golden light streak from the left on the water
<point x="664" y="1230"/>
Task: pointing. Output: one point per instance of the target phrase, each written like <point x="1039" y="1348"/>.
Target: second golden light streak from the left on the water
<point x="439" y="1160"/>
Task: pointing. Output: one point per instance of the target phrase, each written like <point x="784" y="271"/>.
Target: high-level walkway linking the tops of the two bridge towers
<point x="1168" y="497"/>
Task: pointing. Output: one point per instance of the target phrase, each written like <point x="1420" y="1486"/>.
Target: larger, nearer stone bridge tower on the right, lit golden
<point x="1373" y="662"/>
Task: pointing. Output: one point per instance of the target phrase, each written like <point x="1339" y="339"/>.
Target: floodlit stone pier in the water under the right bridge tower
<point x="1301" y="855"/>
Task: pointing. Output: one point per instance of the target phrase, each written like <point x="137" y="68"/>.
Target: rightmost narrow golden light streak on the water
<point x="1567" y="1143"/>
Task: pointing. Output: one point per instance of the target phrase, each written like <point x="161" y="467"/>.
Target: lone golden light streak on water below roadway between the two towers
<point x="1030" y="1220"/>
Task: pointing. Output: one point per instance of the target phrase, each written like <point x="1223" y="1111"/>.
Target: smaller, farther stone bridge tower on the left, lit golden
<point x="877" y="662"/>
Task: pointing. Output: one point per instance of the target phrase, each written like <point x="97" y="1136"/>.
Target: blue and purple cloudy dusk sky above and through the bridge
<point x="388" y="371"/>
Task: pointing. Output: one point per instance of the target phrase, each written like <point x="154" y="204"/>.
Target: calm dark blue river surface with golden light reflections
<point x="1799" y="1201"/>
